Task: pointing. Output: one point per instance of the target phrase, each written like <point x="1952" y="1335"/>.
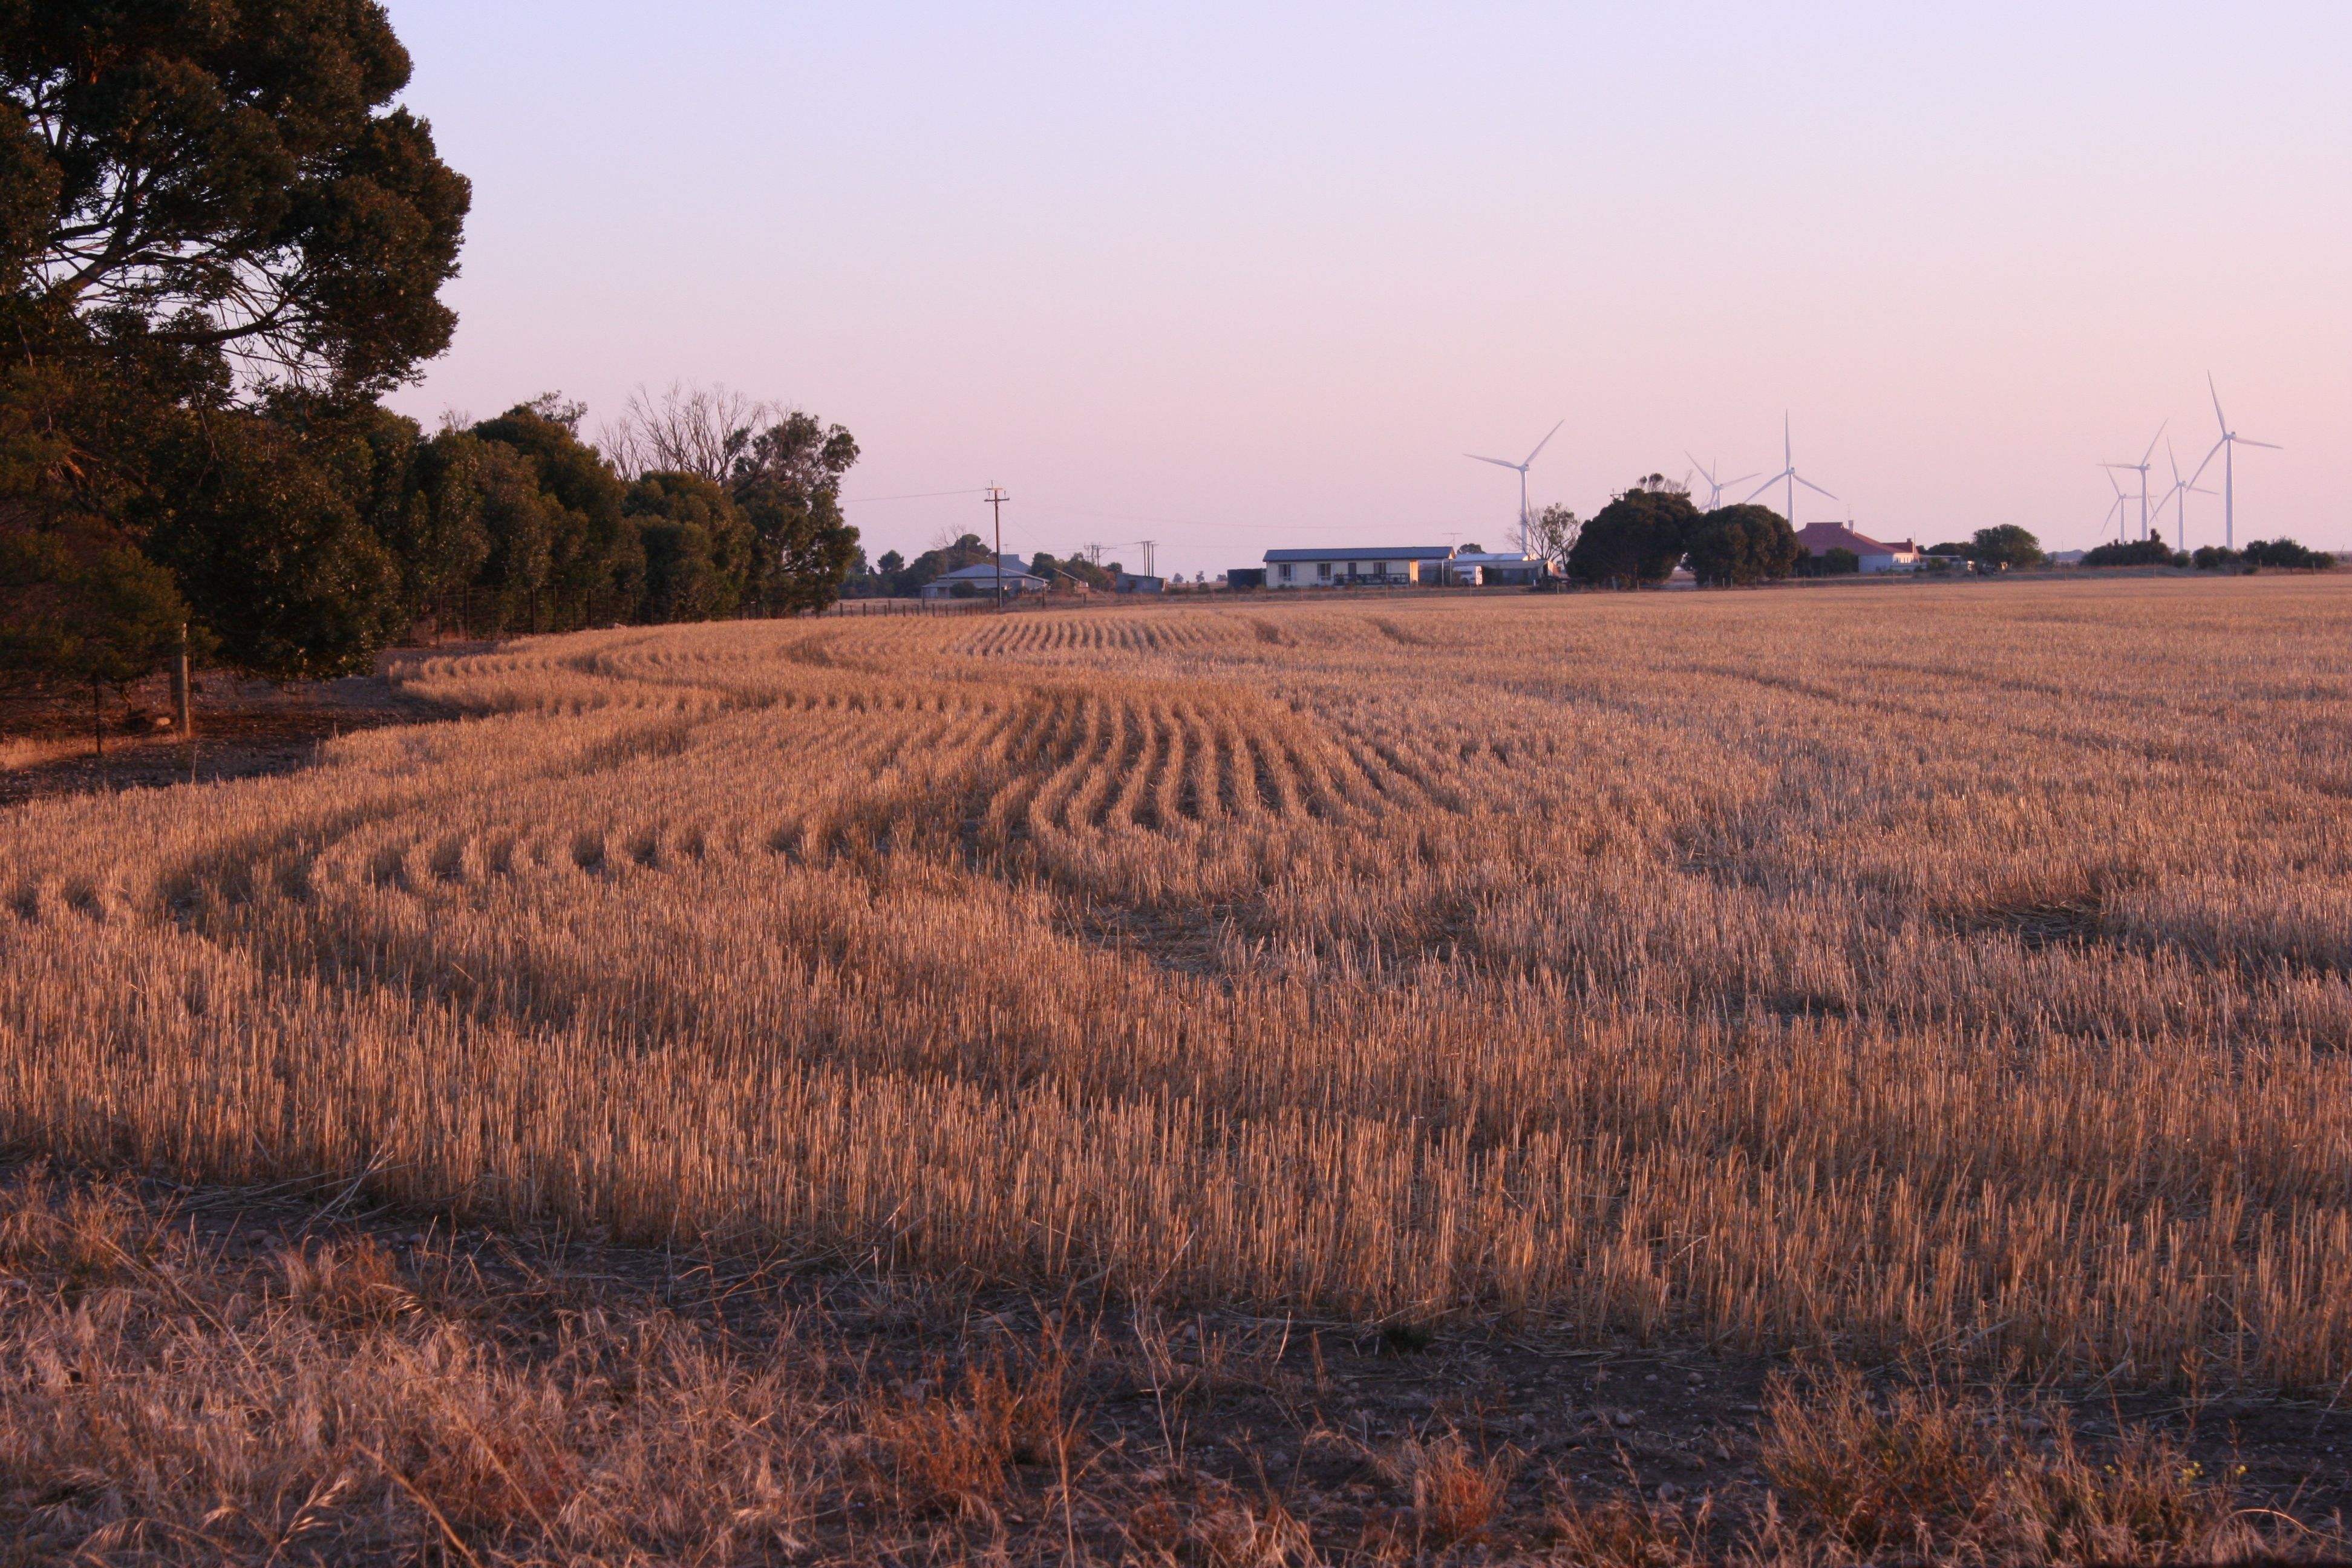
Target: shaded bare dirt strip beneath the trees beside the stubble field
<point x="243" y="728"/>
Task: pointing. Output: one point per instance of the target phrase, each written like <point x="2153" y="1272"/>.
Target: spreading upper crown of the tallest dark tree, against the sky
<point x="227" y="185"/>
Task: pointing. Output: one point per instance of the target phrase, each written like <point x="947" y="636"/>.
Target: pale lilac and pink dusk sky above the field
<point x="1241" y="276"/>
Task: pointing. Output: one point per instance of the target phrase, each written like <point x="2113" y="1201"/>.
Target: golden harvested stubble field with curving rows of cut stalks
<point x="1935" y="977"/>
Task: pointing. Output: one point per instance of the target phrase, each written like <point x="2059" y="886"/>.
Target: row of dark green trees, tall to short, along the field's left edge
<point x="222" y="243"/>
